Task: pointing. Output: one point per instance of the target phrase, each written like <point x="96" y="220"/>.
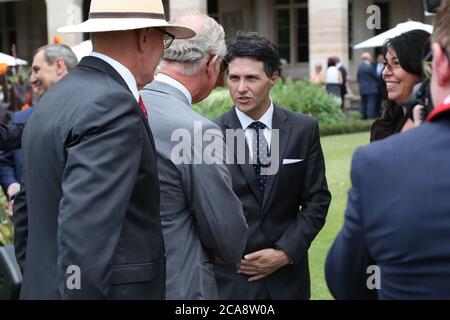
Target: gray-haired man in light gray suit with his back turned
<point x="201" y="216"/>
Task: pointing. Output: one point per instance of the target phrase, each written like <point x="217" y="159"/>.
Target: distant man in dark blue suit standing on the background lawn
<point x="368" y="86"/>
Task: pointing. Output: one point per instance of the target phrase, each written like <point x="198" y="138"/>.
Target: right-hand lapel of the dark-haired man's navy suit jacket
<point x="279" y="121"/>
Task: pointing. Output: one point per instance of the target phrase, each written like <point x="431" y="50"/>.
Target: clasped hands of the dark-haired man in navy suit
<point x="260" y="264"/>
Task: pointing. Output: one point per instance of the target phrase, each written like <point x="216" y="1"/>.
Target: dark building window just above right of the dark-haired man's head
<point x="291" y="30"/>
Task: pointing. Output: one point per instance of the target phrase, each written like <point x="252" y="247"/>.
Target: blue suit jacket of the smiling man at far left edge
<point x="11" y="161"/>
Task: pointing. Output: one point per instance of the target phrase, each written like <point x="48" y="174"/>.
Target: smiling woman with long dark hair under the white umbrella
<point x="403" y="70"/>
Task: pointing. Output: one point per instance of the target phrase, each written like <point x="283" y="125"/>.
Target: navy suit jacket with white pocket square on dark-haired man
<point x="276" y="220"/>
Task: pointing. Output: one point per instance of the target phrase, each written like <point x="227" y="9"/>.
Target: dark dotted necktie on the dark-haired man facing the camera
<point x="260" y="152"/>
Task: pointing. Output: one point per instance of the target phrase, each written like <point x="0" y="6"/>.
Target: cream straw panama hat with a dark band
<point x="120" y="15"/>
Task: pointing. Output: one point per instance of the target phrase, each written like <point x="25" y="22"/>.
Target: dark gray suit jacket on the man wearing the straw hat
<point x="92" y="192"/>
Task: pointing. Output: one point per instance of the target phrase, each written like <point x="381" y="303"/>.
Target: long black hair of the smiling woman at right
<point x="409" y="48"/>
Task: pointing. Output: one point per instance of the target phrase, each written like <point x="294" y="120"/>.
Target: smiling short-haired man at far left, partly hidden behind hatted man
<point x="50" y="64"/>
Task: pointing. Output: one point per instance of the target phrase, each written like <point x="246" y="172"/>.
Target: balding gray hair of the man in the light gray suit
<point x="191" y="53"/>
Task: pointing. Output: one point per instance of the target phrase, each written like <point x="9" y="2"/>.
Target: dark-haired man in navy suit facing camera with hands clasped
<point x="286" y="210"/>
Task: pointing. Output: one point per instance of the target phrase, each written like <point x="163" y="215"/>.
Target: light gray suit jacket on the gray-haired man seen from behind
<point x="201" y="216"/>
